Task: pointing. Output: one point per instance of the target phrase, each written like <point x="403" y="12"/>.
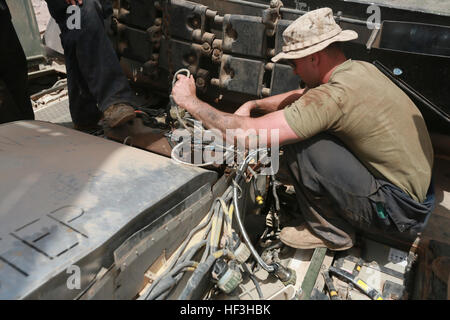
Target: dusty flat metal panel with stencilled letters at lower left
<point x="68" y="198"/>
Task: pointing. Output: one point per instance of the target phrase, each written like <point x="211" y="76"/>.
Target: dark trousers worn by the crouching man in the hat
<point x="337" y="195"/>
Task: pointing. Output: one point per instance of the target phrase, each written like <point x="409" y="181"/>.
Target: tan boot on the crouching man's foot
<point x="301" y="238"/>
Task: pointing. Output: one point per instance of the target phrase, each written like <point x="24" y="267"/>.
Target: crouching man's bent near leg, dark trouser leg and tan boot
<point x="335" y="192"/>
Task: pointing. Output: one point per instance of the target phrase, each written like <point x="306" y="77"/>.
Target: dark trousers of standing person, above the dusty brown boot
<point x="94" y="76"/>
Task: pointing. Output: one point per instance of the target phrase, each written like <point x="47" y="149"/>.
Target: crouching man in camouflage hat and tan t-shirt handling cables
<point x="357" y="147"/>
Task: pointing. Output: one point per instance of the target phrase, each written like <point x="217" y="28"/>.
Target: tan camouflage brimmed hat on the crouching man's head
<point x="311" y="33"/>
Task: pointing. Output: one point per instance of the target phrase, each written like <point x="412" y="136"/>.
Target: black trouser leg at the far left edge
<point x="15" y="101"/>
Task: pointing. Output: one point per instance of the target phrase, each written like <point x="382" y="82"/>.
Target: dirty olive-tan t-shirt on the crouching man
<point x="375" y="119"/>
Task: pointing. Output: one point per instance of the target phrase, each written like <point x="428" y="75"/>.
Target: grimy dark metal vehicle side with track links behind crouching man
<point x="227" y="45"/>
